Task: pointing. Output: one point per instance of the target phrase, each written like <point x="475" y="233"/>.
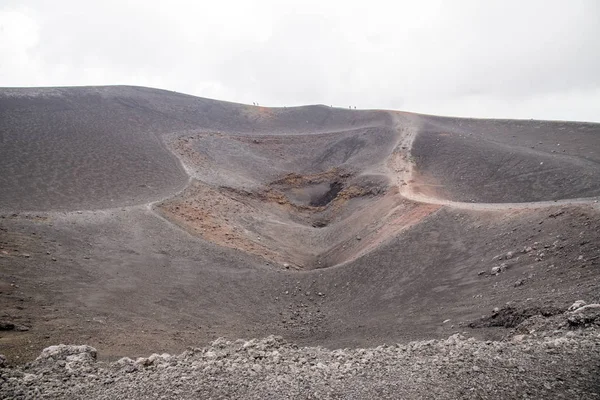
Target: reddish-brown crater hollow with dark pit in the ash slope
<point x="304" y="220"/>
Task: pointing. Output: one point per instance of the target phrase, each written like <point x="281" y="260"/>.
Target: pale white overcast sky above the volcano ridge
<point x="513" y="59"/>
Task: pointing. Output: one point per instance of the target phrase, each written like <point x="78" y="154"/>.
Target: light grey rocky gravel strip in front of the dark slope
<point x="560" y="363"/>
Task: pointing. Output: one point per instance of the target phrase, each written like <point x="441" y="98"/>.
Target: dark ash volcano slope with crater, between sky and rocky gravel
<point x="138" y="220"/>
